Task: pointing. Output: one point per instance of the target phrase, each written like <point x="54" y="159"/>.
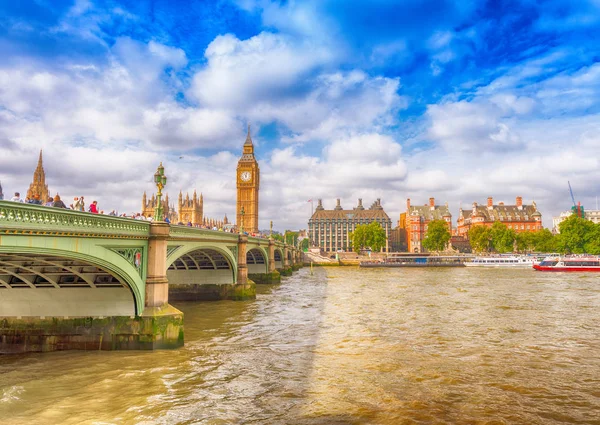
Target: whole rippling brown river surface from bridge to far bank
<point x="344" y="346"/>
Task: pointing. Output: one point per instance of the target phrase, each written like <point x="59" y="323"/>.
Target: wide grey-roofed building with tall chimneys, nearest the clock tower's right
<point x="330" y="229"/>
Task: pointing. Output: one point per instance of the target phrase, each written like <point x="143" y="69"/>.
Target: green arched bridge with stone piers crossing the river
<point x="86" y="281"/>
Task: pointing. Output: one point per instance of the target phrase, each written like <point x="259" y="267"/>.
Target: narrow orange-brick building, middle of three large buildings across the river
<point x="417" y="218"/>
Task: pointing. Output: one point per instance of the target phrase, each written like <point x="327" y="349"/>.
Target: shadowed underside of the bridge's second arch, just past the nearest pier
<point x="201" y="266"/>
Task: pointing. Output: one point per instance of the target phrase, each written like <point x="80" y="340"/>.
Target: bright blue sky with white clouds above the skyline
<point x="389" y="99"/>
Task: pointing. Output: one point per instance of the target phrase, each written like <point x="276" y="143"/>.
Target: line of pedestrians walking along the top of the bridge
<point x="79" y="205"/>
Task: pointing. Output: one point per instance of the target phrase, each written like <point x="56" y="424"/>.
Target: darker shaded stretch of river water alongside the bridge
<point x="243" y="363"/>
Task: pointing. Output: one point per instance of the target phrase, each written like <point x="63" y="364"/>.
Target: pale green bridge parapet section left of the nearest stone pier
<point x="19" y="218"/>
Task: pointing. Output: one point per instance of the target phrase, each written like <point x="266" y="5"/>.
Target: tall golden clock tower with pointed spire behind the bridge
<point x="248" y="181"/>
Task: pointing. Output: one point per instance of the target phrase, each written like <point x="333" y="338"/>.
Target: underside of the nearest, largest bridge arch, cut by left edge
<point x="52" y="285"/>
